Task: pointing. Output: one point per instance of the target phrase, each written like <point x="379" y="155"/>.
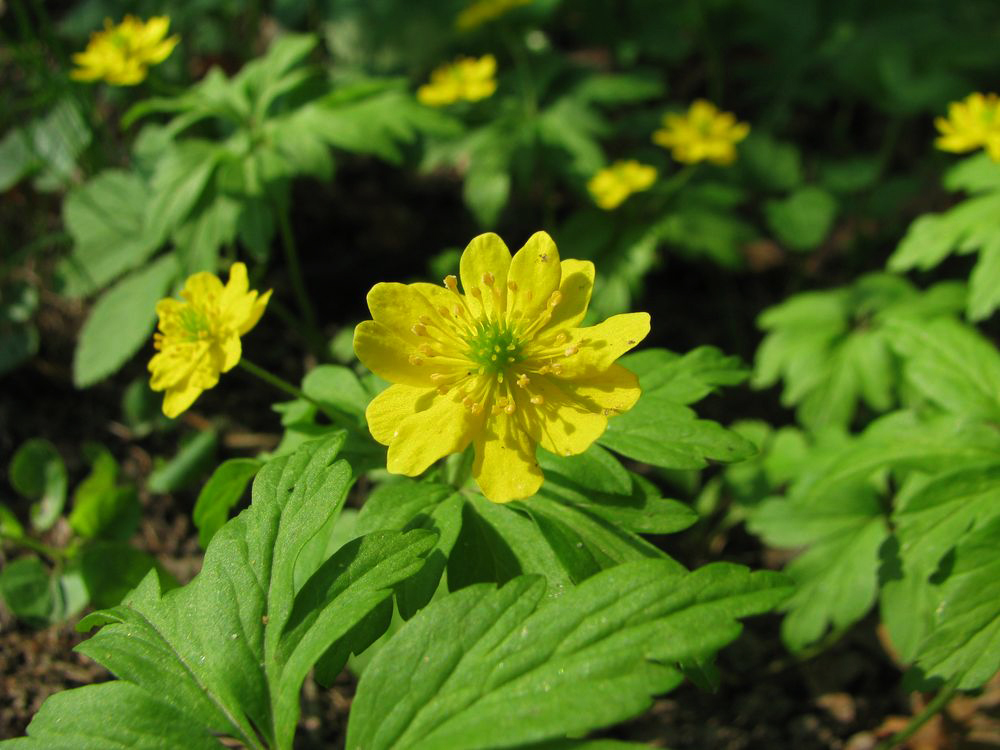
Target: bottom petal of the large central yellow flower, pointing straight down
<point x="505" y="467"/>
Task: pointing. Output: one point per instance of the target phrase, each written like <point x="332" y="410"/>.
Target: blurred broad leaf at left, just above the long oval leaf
<point x="105" y="218"/>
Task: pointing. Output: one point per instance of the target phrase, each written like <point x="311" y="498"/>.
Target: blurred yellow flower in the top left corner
<point x="122" y="54"/>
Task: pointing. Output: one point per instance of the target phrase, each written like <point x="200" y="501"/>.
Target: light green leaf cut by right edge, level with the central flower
<point x="950" y="364"/>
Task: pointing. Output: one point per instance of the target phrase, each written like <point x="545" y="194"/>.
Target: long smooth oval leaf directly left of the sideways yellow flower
<point x="121" y="322"/>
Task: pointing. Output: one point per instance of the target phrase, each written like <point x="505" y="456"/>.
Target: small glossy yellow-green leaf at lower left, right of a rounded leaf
<point x="100" y="507"/>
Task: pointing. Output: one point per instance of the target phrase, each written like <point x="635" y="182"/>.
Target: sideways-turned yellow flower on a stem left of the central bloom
<point x="199" y="336"/>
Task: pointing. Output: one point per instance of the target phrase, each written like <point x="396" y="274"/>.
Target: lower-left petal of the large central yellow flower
<point x="446" y="426"/>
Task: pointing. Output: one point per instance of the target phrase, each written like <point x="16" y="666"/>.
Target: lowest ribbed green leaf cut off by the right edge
<point x="965" y="638"/>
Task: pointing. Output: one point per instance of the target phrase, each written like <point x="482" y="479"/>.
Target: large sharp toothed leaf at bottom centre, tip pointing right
<point x="491" y="667"/>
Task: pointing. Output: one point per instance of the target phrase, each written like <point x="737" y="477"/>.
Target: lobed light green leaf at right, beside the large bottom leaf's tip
<point x="837" y="576"/>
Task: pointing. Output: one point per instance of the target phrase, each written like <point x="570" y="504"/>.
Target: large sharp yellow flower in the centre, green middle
<point x="503" y="366"/>
